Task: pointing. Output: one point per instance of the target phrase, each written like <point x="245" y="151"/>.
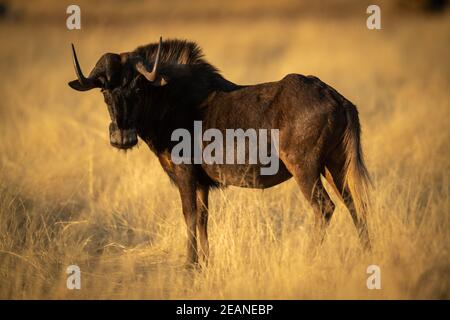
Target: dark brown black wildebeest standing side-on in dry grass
<point x="160" y="87"/>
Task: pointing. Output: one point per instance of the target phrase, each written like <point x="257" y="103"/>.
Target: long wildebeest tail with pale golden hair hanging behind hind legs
<point x="357" y="178"/>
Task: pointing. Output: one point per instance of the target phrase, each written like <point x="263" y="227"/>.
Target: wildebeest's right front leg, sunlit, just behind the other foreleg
<point x="202" y="222"/>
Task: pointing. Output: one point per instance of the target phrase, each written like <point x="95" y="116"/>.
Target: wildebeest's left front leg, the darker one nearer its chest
<point x="187" y="188"/>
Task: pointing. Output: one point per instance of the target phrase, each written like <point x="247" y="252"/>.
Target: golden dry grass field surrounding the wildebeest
<point x="67" y="197"/>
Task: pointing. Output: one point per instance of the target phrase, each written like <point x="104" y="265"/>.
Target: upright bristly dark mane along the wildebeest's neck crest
<point x="175" y="52"/>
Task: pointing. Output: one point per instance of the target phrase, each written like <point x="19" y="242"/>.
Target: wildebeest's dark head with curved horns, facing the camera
<point x="122" y="79"/>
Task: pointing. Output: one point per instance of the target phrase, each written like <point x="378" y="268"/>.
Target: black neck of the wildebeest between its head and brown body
<point x="177" y="104"/>
